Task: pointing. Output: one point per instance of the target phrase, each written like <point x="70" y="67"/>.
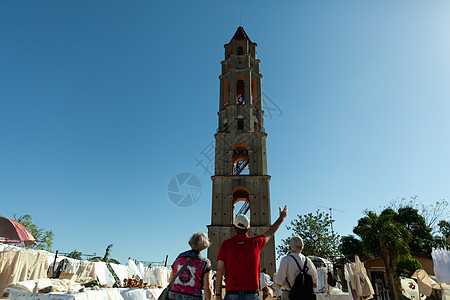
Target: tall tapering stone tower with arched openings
<point x="240" y="182"/>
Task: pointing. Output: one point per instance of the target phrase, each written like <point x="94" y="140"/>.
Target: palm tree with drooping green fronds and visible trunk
<point x="381" y="234"/>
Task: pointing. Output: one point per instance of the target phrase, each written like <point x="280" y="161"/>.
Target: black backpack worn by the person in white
<point x="302" y="289"/>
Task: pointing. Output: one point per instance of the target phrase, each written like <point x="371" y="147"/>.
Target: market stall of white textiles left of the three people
<point x="38" y="274"/>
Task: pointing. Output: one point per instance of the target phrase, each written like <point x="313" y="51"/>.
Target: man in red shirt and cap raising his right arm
<point x="239" y="259"/>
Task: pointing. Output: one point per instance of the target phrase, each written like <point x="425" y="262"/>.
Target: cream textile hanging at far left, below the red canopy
<point x="19" y="264"/>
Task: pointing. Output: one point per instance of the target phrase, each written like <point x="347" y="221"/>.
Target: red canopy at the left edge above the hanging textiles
<point x="14" y="232"/>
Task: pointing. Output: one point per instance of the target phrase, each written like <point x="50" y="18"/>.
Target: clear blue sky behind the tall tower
<point x="103" y="102"/>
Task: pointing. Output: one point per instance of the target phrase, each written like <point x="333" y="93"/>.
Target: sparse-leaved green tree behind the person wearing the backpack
<point x="318" y="237"/>
